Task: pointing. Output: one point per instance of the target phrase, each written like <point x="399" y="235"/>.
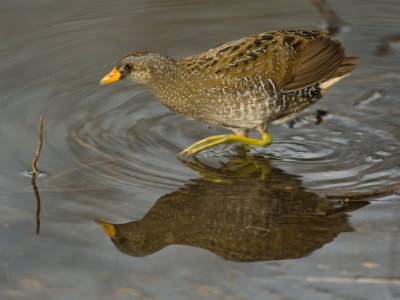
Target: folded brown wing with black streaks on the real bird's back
<point x="282" y="59"/>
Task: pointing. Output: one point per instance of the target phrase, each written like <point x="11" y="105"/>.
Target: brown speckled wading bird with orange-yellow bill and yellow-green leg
<point x="242" y="85"/>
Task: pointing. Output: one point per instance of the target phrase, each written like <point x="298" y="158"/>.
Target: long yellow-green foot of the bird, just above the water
<point x="212" y="141"/>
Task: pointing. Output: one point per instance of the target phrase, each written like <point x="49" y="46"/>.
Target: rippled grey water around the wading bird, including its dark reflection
<point x="223" y="226"/>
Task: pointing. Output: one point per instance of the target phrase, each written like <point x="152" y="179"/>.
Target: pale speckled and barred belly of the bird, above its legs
<point x="239" y="111"/>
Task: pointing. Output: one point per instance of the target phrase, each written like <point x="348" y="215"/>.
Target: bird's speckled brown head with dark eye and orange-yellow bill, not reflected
<point x="138" y="67"/>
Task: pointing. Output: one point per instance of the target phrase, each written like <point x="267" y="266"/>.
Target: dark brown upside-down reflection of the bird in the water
<point x="244" y="210"/>
